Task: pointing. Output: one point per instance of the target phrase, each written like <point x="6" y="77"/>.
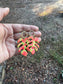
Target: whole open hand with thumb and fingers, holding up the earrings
<point x="10" y="33"/>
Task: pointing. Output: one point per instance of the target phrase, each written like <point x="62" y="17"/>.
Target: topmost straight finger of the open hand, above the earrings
<point x="22" y="27"/>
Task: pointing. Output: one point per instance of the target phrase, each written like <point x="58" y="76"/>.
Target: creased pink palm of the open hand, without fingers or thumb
<point x="7" y="42"/>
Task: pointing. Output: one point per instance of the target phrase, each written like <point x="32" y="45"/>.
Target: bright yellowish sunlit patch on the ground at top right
<point x="50" y="8"/>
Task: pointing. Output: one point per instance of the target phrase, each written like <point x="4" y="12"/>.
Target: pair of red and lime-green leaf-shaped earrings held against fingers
<point x="27" y="43"/>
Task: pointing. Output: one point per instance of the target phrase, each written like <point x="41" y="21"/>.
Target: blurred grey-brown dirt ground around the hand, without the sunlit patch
<point x="43" y="67"/>
